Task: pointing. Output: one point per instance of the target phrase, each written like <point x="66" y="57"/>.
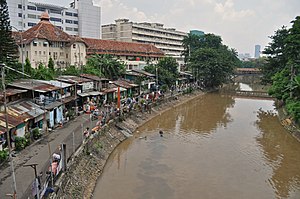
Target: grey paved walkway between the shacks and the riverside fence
<point x="38" y="153"/>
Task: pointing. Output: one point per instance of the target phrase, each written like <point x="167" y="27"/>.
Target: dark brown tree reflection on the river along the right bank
<point x="281" y="151"/>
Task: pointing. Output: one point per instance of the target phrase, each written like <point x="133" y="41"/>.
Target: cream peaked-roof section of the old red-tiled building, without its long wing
<point x="45" y="40"/>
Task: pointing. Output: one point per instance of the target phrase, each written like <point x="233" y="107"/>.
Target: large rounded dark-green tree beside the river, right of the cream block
<point x="211" y="62"/>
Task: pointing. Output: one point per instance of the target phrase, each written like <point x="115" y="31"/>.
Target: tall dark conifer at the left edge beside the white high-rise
<point x="8" y="48"/>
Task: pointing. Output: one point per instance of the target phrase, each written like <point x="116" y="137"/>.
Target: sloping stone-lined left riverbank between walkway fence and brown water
<point x="81" y="177"/>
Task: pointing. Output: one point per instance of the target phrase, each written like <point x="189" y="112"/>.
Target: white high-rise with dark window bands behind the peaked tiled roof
<point x="82" y="18"/>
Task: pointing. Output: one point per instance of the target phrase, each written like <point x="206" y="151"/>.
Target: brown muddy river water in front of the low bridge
<point x="213" y="147"/>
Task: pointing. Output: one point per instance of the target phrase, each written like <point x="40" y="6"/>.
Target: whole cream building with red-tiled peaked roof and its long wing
<point x="45" y="40"/>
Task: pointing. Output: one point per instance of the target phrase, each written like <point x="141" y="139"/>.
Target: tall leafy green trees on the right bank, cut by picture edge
<point x="283" y="67"/>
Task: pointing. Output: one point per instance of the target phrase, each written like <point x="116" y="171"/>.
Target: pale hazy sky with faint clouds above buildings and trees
<point x="241" y="23"/>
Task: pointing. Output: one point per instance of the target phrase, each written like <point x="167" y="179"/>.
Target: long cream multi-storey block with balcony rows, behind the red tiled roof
<point x="169" y="40"/>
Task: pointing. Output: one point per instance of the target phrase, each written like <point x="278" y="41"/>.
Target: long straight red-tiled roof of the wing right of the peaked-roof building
<point x="100" y="46"/>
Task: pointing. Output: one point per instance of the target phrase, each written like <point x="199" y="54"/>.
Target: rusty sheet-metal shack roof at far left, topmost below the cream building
<point x="33" y="84"/>
